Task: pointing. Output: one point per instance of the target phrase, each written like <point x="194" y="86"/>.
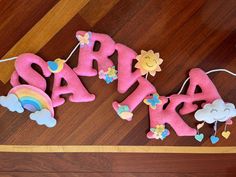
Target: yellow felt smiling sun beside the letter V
<point x="148" y="62"/>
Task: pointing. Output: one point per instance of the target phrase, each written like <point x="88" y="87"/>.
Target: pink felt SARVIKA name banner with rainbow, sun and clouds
<point x="162" y="109"/>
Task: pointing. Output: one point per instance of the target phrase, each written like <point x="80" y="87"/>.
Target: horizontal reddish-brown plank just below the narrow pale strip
<point x="121" y="162"/>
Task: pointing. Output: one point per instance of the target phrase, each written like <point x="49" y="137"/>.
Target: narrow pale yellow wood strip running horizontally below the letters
<point x="118" y="149"/>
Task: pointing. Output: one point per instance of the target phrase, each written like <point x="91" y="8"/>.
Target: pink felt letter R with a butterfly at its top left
<point x="87" y="55"/>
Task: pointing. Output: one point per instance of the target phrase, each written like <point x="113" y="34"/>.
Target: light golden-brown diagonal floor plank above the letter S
<point x="42" y="32"/>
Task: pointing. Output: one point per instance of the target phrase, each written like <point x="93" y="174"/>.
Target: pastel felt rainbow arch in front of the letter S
<point x="32" y="98"/>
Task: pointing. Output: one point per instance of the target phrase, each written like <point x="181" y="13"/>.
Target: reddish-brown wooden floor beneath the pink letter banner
<point x="187" y="33"/>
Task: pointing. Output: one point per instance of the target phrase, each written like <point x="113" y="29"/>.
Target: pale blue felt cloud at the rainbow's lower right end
<point x="43" y="117"/>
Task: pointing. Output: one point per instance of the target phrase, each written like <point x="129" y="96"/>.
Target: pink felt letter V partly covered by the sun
<point x="126" y="78"/>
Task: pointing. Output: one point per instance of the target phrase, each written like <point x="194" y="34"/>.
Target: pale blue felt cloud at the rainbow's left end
<point x="12" y="103"/>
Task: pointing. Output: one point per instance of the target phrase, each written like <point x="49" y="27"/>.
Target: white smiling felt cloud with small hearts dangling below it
<point x="217" y="111"/>
